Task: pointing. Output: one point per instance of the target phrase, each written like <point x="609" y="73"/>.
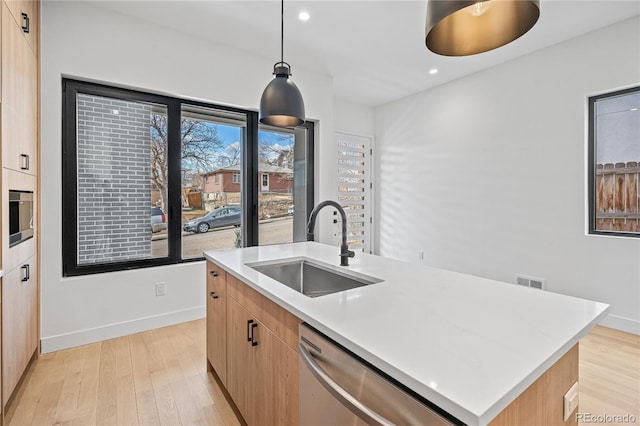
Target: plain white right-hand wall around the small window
<point x="486" y="174"/>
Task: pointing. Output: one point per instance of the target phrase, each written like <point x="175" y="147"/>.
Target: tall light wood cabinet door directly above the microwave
<point x="19" y="98"/>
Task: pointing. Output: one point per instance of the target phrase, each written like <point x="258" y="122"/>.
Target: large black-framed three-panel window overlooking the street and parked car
<point x="136" y="179"/>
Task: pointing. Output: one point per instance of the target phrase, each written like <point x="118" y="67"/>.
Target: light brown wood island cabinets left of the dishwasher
<point x="261" y="354"/>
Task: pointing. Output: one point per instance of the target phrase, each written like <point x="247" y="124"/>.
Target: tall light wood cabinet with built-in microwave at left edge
<point x="19" y="121"/>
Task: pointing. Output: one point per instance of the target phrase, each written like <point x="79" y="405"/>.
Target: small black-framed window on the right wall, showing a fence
<point x="614" y="163"/>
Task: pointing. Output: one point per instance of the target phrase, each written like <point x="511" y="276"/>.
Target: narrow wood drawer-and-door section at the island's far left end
<point x="216" y="320"/>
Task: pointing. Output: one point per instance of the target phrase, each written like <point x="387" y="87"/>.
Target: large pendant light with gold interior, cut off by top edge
<point x="461" y="28"/>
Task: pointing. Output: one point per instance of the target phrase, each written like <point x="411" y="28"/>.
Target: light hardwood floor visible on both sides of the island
<point x="159" y="377"/>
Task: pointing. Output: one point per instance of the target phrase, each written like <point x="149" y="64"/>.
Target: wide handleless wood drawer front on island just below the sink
<point x="281" y="322"/>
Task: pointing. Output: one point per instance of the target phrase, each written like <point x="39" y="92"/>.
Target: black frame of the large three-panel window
<point x="71" y="88"/>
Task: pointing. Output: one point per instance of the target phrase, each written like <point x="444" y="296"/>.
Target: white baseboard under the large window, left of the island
<point x="110" y="331"/>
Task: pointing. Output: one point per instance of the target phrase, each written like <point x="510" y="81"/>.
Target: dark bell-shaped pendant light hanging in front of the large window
<point x="281" y="104"/>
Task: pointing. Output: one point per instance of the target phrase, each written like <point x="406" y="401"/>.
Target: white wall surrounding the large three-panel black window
<point x="84" y="41"/>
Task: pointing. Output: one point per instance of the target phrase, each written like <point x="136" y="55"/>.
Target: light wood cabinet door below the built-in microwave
<point x="19" y="323"/>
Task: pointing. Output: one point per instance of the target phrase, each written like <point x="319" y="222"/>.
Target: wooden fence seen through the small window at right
<point x="617" y="197"/>
